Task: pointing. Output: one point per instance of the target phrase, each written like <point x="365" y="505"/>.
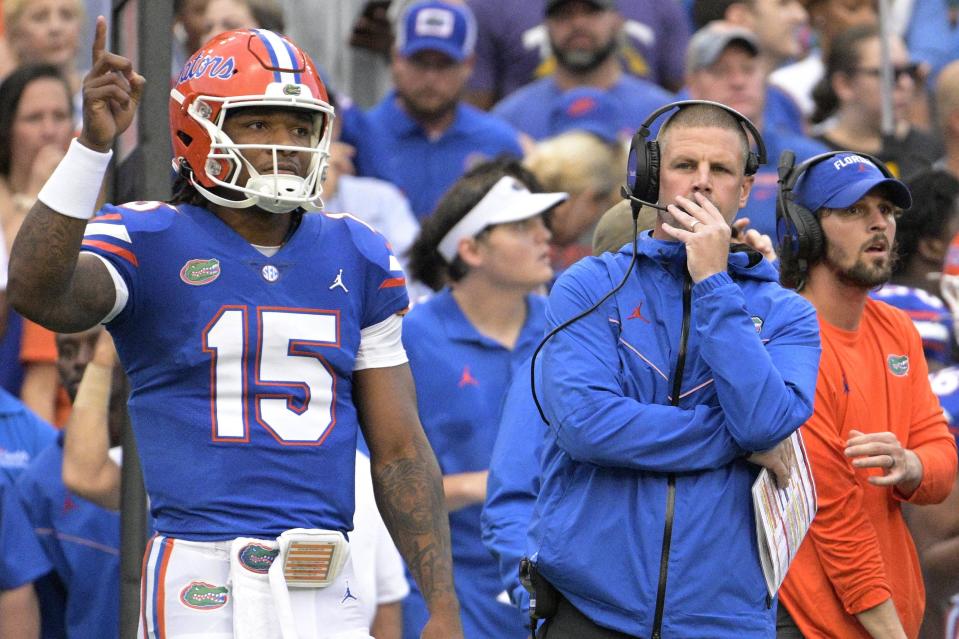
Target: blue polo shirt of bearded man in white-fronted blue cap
<point x="423" y="167"/>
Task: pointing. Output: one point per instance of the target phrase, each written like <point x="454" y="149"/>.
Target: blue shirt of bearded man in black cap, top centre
<point x="529" y="108"/>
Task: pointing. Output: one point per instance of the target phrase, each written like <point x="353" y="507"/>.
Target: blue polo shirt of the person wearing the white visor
<point x="461" y="381"/>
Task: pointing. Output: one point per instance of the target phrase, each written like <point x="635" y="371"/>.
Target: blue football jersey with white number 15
<point x="241" y="365"/>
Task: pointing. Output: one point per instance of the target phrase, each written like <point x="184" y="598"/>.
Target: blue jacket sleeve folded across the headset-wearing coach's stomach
<point x="585" y="399"/>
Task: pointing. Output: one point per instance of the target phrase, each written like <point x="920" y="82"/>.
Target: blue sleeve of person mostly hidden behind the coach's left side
<point x="513" y="483"/>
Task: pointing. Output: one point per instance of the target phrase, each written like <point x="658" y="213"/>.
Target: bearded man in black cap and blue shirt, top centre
<point x="583" y="36"/>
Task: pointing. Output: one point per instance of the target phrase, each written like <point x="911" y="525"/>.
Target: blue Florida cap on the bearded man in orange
<point x="842" y="180"/>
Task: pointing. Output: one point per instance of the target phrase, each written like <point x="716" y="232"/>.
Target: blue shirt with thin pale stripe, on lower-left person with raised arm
<point x="82" y="542"/>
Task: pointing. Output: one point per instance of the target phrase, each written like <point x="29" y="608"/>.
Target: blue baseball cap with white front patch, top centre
<point x="437" y="26"/>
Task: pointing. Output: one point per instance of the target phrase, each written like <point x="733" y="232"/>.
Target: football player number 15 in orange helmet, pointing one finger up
<point x="258" y="338"/>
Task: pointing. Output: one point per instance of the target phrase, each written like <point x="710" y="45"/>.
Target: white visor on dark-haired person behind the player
<point x="507" y="201"/>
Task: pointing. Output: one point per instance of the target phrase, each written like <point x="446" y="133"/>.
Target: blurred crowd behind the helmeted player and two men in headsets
<point x="426" y="91"/>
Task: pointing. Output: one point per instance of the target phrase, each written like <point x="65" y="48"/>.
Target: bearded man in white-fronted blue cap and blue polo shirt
<point x="429" y="136"/>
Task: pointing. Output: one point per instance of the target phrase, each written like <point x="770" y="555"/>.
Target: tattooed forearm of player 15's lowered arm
<point x="409" y="493"/>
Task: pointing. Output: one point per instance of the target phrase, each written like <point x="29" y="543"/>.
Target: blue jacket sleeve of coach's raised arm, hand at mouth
<point x="766" y="390"/>
